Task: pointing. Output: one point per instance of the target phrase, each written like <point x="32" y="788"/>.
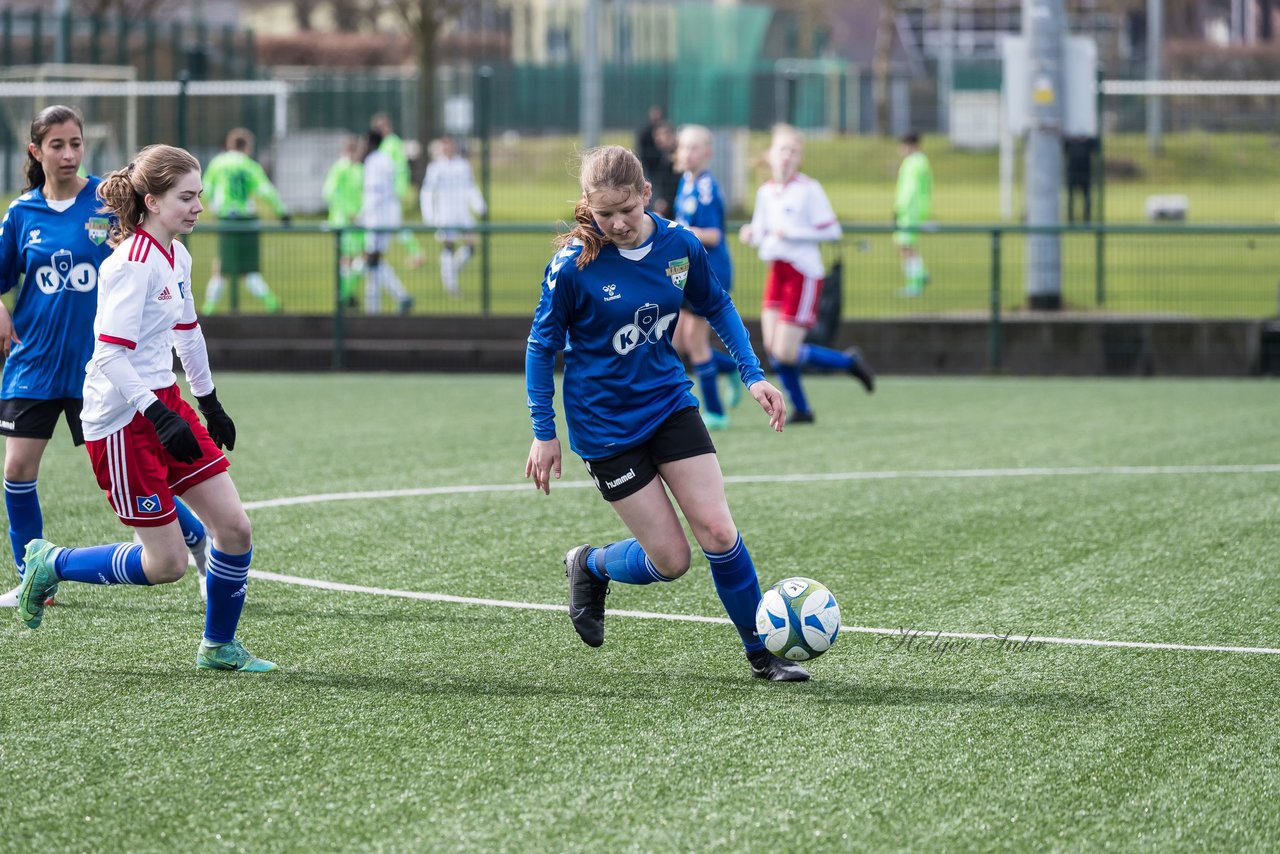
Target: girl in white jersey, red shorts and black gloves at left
<point x="144" y="440"/>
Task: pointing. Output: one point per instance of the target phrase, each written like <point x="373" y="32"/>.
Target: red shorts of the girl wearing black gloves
<point x="140" y="477"/>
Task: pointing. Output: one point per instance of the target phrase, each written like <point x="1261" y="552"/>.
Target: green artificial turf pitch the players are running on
<point x="1105" y="510"/>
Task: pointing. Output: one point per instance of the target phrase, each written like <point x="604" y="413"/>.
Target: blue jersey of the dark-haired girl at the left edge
<point x="57" y="255"/>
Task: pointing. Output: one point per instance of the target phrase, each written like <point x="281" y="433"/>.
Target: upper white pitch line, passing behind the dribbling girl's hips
<point x="929" y="474"/>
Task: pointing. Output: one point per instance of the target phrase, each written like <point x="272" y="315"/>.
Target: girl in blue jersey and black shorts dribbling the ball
<point x="611" y="296"/>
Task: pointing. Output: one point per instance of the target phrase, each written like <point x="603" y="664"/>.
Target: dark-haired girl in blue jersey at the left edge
<point x="53" y="240"/>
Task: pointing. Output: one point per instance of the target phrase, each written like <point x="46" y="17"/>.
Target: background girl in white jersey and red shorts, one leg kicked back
<point x="792" y="218"/>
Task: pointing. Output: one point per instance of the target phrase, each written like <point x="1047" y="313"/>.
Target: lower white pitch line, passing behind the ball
<point x="680" y="618"/>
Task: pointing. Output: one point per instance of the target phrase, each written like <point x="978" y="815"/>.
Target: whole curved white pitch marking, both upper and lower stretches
<point x="797" y="478"/>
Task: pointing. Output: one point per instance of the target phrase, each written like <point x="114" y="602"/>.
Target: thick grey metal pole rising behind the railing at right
<point x="1044" y="31"/>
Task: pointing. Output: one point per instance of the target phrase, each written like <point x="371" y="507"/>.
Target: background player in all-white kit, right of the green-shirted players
<point x="451" y="202"/>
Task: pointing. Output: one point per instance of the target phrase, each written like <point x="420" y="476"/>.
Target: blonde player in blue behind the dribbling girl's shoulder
<point x="701" y="208"/>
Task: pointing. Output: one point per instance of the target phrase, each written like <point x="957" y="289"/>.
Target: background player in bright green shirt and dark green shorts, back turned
<point x="234" y="184"/>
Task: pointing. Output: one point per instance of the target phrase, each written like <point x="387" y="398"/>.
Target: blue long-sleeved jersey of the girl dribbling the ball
<point x="614" y="319"/>
